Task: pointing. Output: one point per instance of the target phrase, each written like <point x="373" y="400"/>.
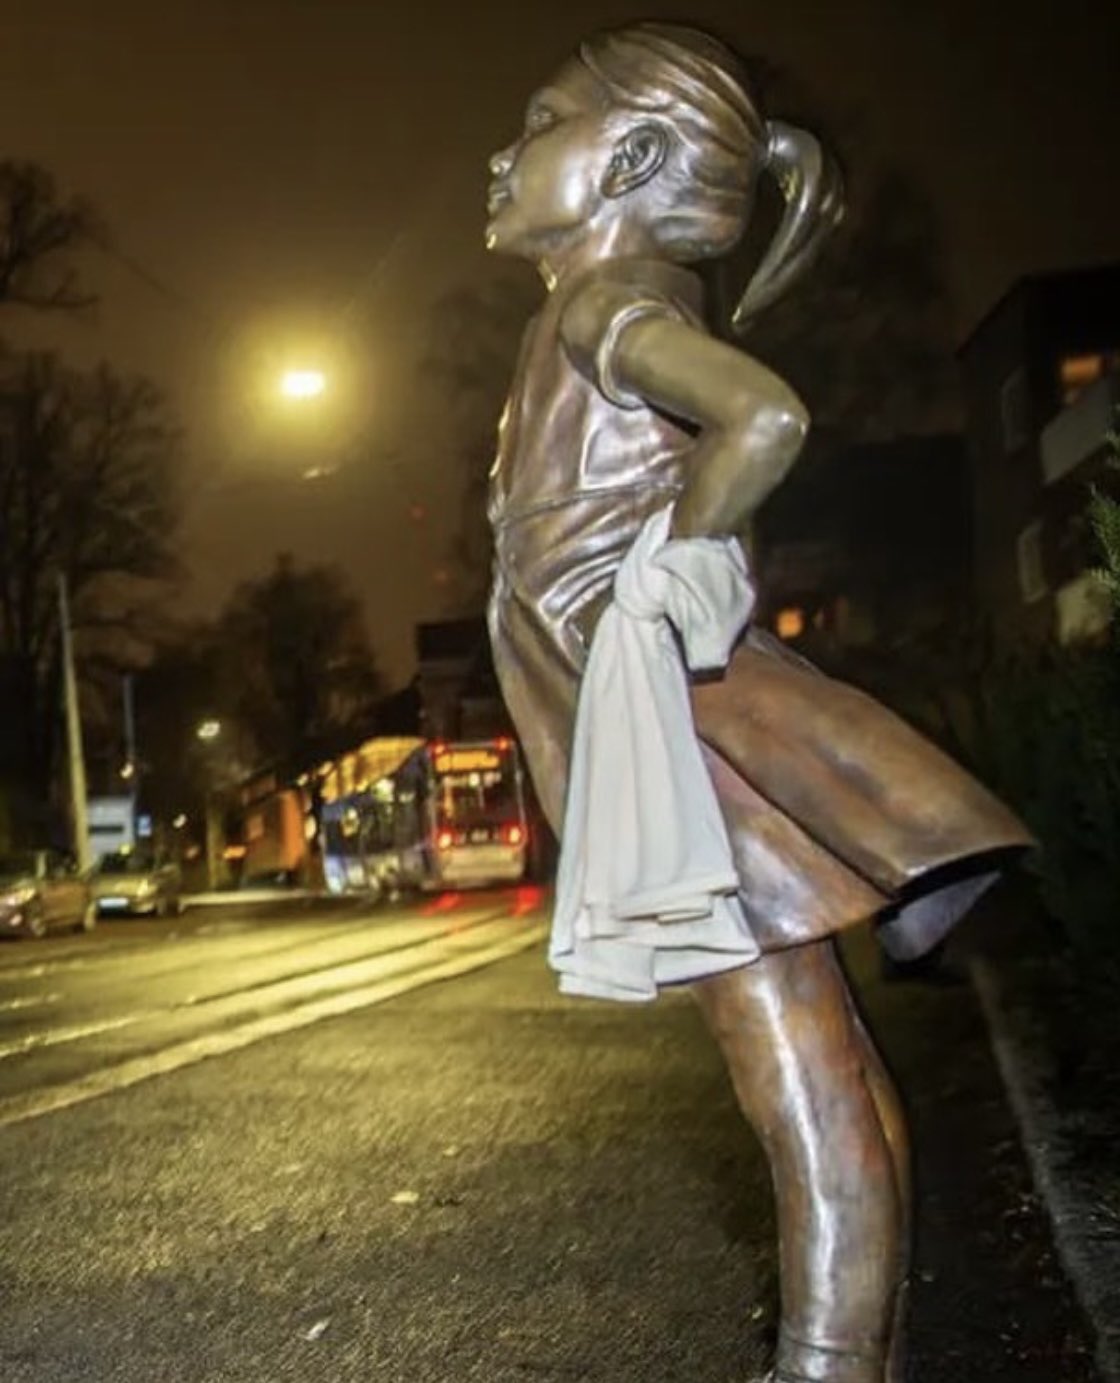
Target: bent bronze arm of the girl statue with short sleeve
<point x="752" y="424"/>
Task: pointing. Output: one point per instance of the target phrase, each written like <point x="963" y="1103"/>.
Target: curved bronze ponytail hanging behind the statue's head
<point x="814" y="193"/>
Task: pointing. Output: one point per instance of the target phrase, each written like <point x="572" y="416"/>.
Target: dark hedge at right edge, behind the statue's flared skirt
<point x="1042" y="728"/>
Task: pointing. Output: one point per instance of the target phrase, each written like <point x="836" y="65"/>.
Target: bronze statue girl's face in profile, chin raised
<point x="548" y="186"/>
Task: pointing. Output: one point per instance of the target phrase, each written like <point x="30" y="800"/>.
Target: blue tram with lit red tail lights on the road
<point x="425" y="815"/>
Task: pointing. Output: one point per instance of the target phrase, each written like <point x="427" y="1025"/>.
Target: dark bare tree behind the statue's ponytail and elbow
<point x="868" y="335"/>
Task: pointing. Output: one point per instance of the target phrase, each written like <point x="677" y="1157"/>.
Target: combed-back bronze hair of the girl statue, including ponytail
<point x="720" y="143"/>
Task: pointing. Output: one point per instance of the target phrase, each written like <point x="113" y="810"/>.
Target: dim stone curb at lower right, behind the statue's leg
<point x="1089" y="1255"/>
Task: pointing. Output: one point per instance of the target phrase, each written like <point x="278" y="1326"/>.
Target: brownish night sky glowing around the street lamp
<point x="295" y="179"/>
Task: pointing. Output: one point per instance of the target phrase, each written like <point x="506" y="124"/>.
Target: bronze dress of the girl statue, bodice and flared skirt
<point x="837" y="811"/>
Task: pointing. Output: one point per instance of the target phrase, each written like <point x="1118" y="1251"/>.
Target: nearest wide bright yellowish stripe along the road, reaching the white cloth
<point x="35" y="1104"/>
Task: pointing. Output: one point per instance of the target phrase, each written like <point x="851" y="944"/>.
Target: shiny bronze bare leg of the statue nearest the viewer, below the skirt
<point x="825" y="1111"/>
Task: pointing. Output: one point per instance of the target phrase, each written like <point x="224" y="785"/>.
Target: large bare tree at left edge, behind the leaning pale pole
<point x="86" y="490"/>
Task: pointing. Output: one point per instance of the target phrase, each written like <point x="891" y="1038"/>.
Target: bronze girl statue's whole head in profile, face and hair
<point x="652" y="142"/>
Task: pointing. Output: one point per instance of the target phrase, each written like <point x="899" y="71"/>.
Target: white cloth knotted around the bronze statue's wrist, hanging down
<point x="646" y="887"/>
